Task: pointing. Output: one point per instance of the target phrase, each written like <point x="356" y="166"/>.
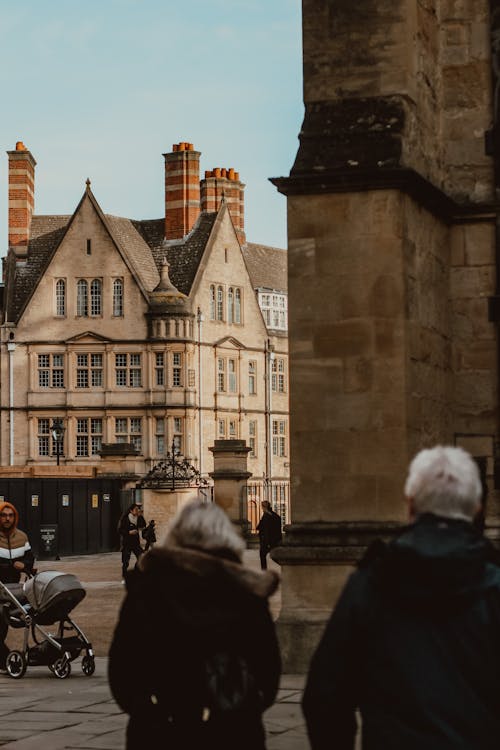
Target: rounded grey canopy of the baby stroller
<point x="53" y="591"/>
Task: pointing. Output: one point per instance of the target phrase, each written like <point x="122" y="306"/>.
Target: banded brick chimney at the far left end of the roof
<point x="21" y="197"/>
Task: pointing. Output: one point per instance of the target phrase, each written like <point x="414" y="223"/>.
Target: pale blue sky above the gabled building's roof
<point x="102" y="88"/>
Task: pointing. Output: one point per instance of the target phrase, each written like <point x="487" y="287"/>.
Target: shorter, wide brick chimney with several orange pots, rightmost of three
<point x="222" y="183"/>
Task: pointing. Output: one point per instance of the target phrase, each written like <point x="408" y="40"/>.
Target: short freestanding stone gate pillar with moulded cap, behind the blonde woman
<point x="230" y="477"/>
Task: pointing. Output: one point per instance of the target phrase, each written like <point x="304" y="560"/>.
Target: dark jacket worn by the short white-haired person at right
<point x="414" y="644"/>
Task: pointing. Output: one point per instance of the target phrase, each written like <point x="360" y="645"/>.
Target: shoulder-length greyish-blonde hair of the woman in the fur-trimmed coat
<point x="206" y="527"/>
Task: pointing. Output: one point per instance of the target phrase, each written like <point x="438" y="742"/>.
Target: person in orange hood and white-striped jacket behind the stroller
<point x="16" y="557"/>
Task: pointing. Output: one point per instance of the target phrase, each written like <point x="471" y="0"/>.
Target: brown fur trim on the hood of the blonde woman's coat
<point x="207" y="567"/>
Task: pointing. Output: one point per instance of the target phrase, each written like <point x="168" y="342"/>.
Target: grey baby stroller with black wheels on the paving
<point x="46" y="599"/>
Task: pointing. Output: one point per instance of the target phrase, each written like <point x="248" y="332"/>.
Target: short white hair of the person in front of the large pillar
<point x="445" y="481"/>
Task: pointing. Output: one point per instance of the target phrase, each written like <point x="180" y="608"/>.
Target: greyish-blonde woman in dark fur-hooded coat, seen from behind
<point x="189" y="598"/>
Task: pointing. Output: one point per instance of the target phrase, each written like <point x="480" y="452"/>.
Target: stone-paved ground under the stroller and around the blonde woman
<point x="41" y="712"/>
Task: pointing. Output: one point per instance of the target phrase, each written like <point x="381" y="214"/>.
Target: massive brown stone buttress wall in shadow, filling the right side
<point x="393" y="276"/>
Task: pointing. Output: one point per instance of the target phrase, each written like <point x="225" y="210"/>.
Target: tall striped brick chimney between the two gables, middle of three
<point x="182" y="190"/>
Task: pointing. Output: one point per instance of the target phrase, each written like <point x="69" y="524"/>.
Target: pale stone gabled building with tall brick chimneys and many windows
<point x="139" y="335"/>
